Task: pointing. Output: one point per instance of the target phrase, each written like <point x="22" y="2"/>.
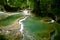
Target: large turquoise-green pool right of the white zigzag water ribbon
<point x="37" y="30"/>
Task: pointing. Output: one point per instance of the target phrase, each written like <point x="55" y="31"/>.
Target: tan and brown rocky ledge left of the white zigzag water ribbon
<point x="12" y="31"/>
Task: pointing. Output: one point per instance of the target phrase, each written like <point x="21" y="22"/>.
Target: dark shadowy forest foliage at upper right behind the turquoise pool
<point x="45" y="7"/>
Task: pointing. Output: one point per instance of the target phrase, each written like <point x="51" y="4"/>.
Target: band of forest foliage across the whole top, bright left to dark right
<point x="42" y="8"/>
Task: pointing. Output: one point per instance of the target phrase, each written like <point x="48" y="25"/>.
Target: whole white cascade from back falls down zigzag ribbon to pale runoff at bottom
<point x="25" y="35"/>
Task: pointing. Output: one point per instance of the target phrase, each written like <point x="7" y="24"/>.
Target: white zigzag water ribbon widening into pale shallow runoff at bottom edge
<point x="25" y="35"/>
